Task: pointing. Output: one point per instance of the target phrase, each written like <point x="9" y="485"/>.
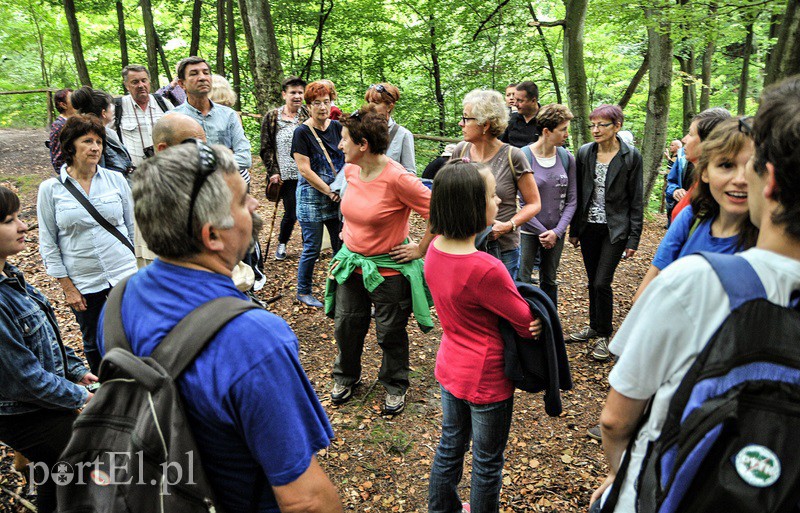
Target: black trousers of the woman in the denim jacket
<point x="41" y="436"/>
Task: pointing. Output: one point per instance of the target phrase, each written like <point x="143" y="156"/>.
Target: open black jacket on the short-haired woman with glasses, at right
<point x="624" y="202"/>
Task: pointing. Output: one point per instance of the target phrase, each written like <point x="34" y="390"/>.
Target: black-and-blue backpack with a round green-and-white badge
<point x="727" y="443"/>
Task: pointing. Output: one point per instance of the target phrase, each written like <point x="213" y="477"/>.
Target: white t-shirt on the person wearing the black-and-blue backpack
<point x="655" y="350"/>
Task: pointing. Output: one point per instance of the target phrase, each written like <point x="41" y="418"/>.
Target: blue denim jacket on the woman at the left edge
<point x="36" y="370"/>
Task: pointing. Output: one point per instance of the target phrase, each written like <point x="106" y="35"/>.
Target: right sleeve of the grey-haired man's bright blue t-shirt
<point x="282" y="421"/>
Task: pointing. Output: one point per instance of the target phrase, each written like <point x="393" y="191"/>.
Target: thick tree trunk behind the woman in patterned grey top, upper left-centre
<point x="266" y="62"/>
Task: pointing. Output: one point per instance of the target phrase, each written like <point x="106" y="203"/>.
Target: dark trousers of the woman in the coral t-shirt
<point x="392" y="300"/>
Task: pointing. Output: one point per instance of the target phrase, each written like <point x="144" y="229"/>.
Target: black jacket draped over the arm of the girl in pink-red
<point x="536" y="365"/>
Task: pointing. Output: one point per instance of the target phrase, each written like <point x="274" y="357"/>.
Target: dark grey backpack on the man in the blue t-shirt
<point x="131" y="449"/>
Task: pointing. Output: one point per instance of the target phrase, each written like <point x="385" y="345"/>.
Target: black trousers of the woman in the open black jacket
<point x="600" y="258"/>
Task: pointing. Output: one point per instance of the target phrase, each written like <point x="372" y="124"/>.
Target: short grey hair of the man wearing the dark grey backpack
<point x="161" y="193"/>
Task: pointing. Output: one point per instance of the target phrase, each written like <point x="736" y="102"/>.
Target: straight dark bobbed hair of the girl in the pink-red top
<point x="458" y="200"/>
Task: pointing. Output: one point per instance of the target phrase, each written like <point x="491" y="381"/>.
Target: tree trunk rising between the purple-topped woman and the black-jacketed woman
<point x="574" y="71"/>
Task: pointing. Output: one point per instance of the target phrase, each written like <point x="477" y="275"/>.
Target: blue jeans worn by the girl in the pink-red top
<point x="488" y="425"/>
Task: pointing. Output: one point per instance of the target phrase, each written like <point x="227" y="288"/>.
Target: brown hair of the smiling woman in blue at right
<point x="724" y="141"/>
